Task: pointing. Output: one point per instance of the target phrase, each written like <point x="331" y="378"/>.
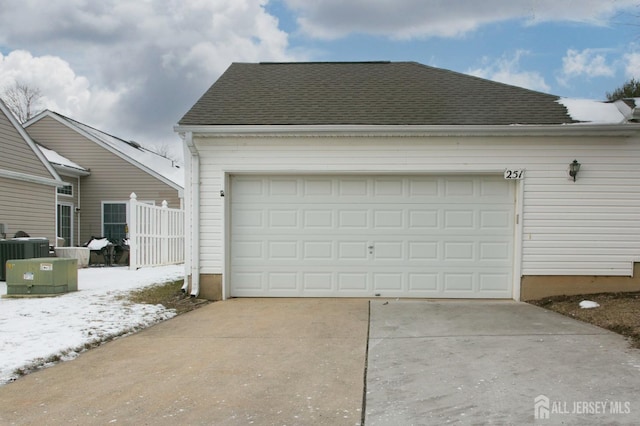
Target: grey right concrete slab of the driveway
<point x="489" y="362"/>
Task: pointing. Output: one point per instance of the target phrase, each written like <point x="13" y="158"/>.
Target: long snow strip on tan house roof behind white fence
<point x="165" y="167"/>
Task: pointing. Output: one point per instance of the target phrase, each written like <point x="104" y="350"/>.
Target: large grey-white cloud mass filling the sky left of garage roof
<point x="133" y="68"/>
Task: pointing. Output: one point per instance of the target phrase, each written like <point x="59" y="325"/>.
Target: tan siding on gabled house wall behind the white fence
<point x="111" y="179"/>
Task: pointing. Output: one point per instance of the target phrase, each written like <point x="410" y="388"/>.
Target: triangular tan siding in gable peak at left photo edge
<point x="15" y="154"/>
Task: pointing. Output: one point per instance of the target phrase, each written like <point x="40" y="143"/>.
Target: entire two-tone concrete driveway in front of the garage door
<point x="302" y="362"/>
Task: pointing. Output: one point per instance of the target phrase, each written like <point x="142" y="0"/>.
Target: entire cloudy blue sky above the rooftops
<point x="134" y="67"/>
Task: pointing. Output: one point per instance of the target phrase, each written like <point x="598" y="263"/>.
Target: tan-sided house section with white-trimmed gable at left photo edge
<point x="27" y="183"/>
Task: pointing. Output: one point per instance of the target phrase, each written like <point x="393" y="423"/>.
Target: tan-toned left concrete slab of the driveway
<point x="239" y="362"/>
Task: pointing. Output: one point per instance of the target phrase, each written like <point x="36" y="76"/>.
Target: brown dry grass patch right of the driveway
<point x="618" y="312"/>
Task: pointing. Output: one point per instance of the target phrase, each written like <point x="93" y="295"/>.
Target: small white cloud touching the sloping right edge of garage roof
<point x="507" y="70"/>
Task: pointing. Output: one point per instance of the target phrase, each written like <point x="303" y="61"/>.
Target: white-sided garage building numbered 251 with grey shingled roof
<point x="403" y="180"/>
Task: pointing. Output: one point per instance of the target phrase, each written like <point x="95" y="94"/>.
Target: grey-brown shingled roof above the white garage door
<point x="366" y="93"/>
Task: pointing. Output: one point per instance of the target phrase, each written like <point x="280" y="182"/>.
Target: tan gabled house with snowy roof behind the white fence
<point x="101" y="172"/>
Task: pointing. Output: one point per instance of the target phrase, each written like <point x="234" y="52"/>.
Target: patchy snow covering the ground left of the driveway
<point x="34" y="331"/>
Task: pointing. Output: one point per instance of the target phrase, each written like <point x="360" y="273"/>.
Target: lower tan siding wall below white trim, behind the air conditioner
<point x="28" y="207"/>
